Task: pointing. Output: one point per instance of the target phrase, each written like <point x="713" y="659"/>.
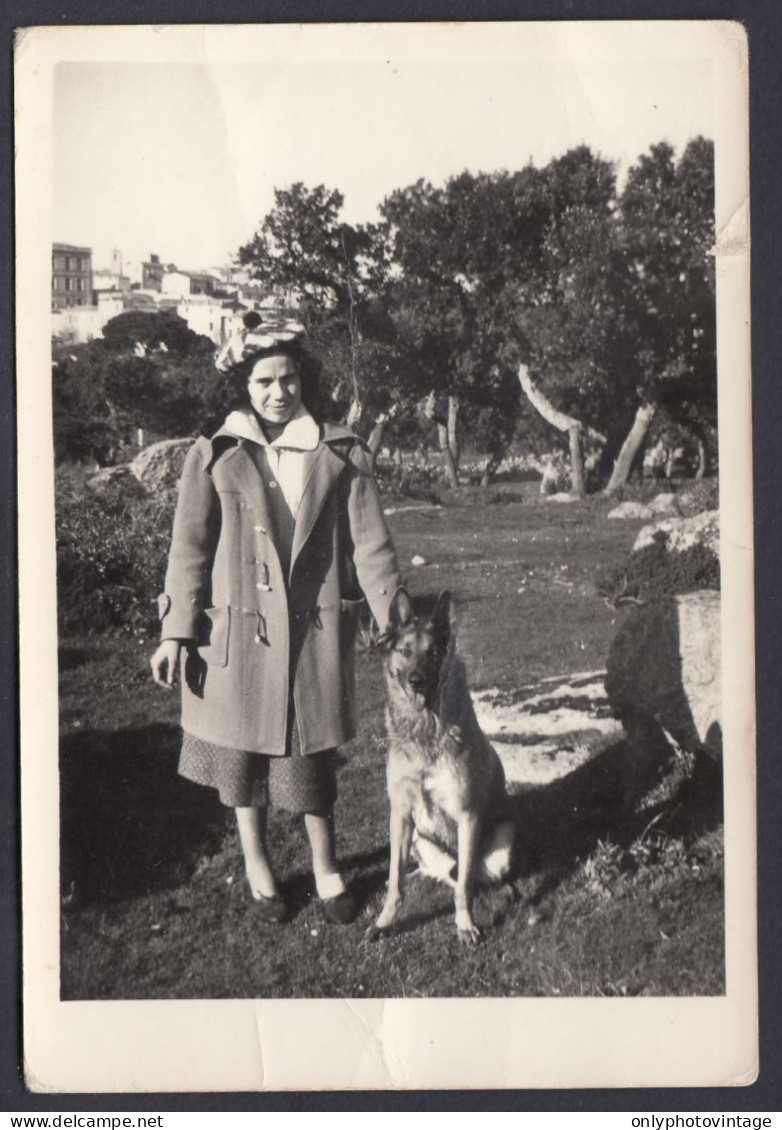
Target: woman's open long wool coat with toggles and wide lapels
<point x="256" y="647"/>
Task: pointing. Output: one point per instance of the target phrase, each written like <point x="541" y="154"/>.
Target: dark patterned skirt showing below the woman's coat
<point x="298" y="784"/>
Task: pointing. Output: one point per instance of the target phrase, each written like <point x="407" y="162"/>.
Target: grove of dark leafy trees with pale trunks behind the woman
<point x="599" y="308"/>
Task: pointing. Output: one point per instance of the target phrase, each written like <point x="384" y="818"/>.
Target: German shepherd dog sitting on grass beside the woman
<point x="446" y="783"/>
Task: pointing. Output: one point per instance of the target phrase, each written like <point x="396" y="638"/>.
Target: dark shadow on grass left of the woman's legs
<point x="129" y="825"/>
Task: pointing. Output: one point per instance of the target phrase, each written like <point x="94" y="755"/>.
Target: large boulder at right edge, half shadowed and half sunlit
<point x="664" y="672"/>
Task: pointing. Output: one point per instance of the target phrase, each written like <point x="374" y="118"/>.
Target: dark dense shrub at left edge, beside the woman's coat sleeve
<point x="112" y="543"/>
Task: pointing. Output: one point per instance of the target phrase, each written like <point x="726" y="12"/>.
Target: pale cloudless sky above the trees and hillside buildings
<point x="181" y="159"/>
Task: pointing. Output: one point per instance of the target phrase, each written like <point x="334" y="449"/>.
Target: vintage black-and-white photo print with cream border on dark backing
<point x="399" y="436"/>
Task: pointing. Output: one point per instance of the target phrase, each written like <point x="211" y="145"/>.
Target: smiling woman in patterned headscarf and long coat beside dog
<point x="279" y="538"/>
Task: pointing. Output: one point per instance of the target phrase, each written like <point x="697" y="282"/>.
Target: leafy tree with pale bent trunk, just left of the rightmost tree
<point x="550" y="285"/>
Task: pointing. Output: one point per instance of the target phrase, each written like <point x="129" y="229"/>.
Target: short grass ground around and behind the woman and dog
<point x="155" y="903"/>
